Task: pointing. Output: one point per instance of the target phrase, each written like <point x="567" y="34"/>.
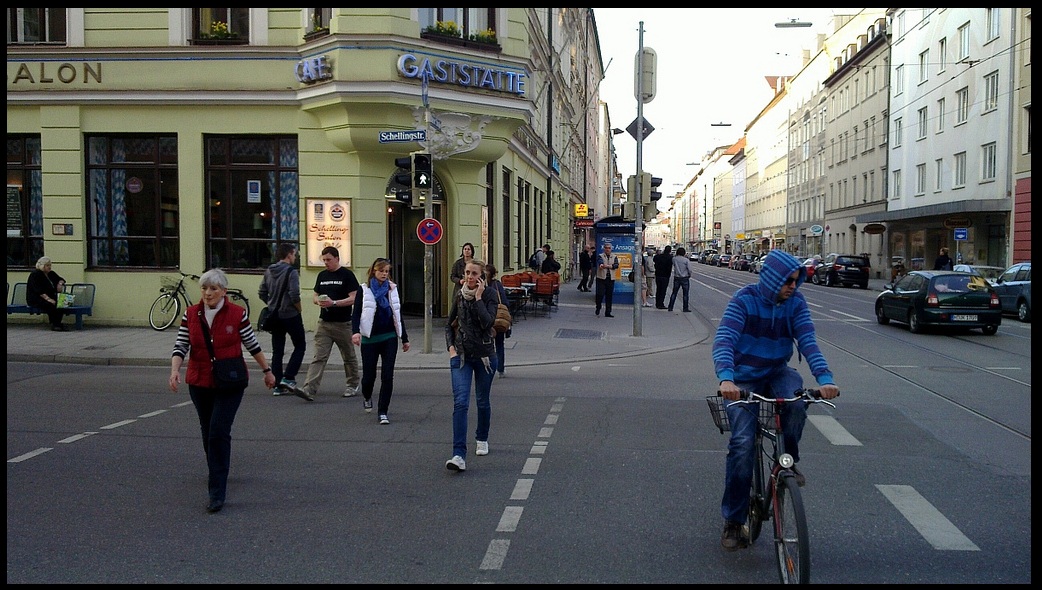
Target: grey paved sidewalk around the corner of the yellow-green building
<point x="568" y="334"/>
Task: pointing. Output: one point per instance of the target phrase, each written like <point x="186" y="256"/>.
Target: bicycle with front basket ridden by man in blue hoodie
<point x="775" y="493"/>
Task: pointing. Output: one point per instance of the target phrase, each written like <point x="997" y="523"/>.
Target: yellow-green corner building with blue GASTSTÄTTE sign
<point x="142" y="141"/>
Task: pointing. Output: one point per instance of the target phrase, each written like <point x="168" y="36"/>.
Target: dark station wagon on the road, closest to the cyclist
<point x="925" y="299"/>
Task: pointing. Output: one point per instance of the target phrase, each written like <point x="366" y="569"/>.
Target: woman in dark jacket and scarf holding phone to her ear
<point x="473" y="358"/>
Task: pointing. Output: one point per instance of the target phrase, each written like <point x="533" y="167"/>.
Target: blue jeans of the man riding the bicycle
<point x="742" y="455"/>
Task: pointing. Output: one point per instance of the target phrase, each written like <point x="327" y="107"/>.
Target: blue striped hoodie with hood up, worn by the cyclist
<point x="757" y="333"/>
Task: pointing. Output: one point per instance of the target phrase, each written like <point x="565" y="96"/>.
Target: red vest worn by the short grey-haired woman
<point x="228" y="342"/>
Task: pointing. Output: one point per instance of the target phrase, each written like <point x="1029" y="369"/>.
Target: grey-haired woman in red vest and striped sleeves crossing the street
<point x="217" y="319"/>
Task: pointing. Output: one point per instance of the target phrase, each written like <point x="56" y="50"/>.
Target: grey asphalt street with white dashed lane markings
<point x="600" y="472"/>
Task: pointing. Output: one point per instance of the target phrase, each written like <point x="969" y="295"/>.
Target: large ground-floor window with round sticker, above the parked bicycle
<point x="133" y="211"/>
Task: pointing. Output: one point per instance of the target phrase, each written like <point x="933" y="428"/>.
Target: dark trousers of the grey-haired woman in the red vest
<point x="217" y="410"/>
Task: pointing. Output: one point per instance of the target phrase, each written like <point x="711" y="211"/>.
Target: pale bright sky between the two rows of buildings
<point x="712" y="65"/>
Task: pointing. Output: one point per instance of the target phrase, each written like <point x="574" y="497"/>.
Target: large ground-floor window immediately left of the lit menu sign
<point x="253" y="184"/>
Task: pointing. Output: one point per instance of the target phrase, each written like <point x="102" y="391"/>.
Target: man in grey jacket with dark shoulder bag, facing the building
<point x="281" y="290"/>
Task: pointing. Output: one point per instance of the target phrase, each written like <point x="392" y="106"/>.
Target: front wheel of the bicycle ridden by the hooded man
<point x="791" y="542"/>
